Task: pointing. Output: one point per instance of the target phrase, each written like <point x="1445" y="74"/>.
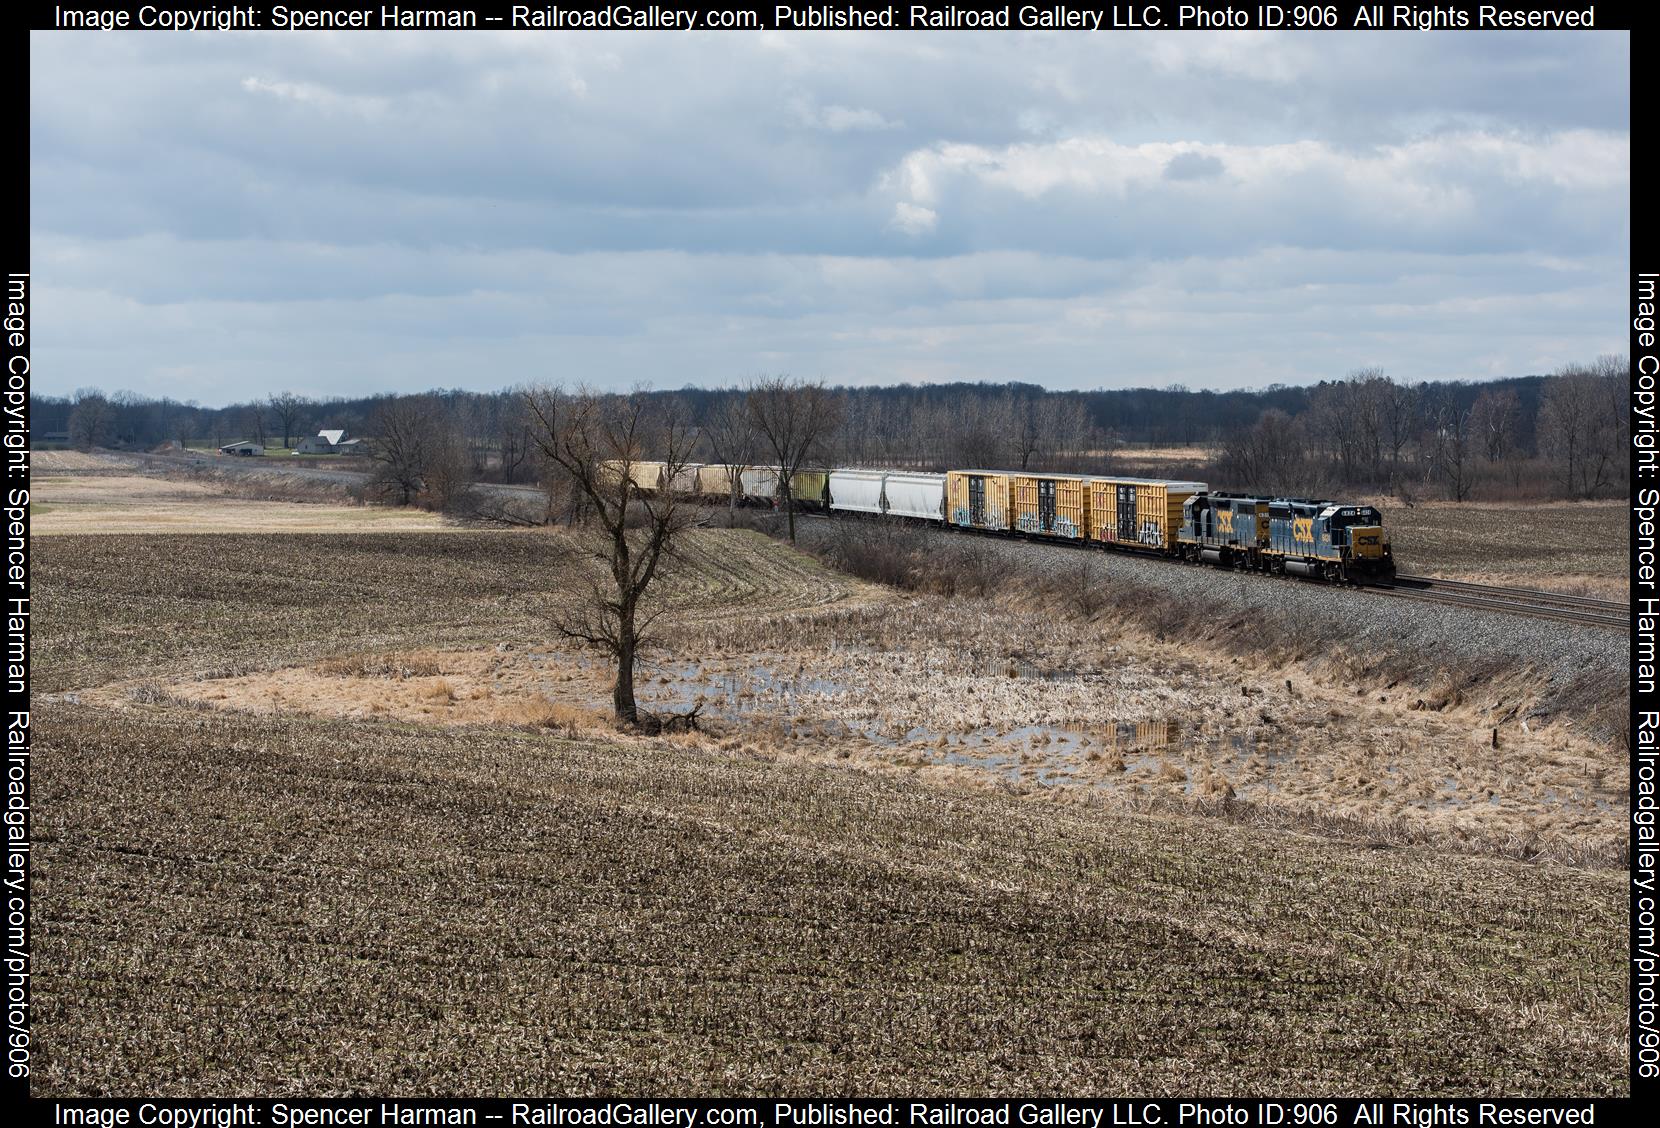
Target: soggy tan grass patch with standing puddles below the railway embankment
<point x="1126" y="722"/>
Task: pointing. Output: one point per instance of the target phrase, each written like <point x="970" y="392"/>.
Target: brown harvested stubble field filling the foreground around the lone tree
<point x="243" y="897"/>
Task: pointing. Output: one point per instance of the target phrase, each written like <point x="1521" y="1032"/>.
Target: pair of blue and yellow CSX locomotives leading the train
<point x="1296" y="537"/>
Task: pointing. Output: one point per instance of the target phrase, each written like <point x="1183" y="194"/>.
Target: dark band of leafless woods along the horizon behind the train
<point x="1563" y="435"/>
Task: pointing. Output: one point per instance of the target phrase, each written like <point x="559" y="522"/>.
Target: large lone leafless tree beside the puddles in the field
<point x="593" y="440"/>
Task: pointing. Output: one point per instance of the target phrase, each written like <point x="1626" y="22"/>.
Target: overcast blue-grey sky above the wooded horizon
<point x="222" y="216"/>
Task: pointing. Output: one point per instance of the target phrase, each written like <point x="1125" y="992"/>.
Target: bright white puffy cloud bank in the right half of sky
<point x="1171" y="198"/>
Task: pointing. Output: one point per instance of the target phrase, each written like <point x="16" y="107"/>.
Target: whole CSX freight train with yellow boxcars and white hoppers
<point x="1181" y="520"/>
